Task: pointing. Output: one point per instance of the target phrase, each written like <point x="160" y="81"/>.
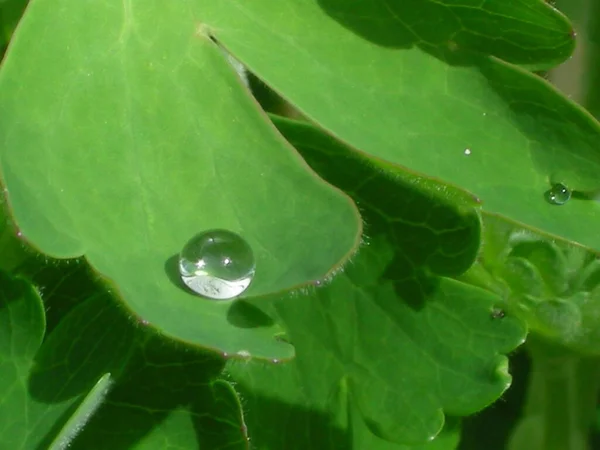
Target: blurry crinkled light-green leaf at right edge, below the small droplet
<point x="551" y="284"/>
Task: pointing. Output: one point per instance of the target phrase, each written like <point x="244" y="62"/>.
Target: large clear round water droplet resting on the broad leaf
<point x="217" y="264"/>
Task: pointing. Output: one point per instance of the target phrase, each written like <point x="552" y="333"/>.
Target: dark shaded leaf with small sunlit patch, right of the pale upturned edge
<point x="168" y="398"/>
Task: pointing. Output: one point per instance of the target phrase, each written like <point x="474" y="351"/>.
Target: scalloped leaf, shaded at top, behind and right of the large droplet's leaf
<point x="390" y="337"/>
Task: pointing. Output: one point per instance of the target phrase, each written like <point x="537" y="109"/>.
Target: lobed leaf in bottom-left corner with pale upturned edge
<point x="53" y="390"/>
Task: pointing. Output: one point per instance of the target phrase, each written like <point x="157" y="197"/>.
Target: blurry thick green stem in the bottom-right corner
<point x="561" y="401"/>
